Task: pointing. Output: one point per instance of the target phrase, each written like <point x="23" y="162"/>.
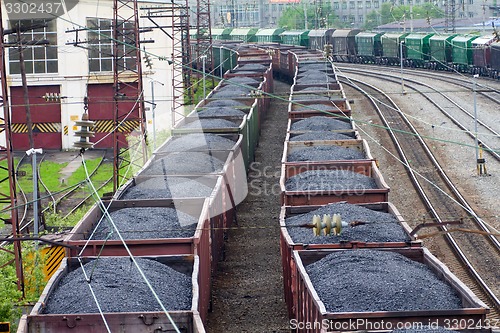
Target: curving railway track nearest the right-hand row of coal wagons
<point x="477" y="253"/>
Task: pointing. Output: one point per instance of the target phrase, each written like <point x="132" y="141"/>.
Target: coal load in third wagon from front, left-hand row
<point x="166" y="188"/>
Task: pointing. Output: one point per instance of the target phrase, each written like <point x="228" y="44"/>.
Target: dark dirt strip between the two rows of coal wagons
<point x="248" y="288"/>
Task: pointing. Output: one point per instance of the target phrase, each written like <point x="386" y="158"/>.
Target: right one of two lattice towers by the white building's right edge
<point x="203" y="46"/>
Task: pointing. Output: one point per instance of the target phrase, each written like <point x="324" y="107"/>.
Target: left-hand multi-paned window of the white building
<point x="37" y="59"/>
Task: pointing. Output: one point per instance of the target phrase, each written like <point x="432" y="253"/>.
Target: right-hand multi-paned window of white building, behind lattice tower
<point x="101" y="45"/>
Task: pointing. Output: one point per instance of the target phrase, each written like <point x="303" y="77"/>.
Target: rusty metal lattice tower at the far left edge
<point x="9" y="200"/>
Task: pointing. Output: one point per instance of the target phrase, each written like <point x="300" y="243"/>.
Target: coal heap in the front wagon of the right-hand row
<point x="367" y="281"/>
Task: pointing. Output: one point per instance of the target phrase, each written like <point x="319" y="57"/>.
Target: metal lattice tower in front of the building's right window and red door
<point x="129" y="97"/>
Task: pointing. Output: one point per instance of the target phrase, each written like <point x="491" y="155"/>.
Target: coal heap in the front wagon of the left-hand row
<point x="119" y="287"/>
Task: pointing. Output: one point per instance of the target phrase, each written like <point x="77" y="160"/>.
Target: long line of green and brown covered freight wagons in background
<point x="474" y="54"/>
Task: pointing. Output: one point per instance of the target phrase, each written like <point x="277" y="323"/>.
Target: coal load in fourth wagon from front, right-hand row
<point x="325" y="153"/>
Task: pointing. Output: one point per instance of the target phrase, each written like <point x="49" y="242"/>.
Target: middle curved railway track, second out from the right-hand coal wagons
<point x="488" y="137"/>
